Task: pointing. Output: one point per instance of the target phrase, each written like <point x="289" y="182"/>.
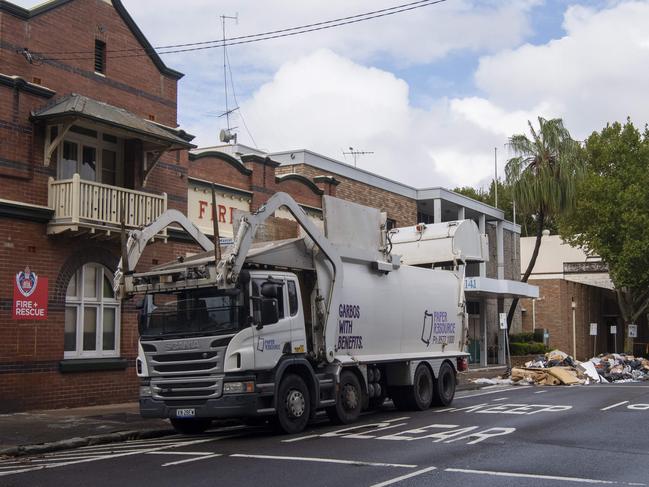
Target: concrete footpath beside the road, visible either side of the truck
<point x="34" y="432"/>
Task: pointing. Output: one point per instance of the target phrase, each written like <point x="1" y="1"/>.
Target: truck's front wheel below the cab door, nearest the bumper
<point x="293" y="404"/>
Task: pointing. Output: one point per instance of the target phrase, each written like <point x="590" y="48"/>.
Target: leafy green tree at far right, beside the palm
<point x="611" y="217"/>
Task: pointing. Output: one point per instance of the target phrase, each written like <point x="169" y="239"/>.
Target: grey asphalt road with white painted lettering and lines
<point x="516" y="436"/>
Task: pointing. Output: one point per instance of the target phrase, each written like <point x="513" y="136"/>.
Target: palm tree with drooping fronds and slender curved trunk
<point x="543" y="177"/>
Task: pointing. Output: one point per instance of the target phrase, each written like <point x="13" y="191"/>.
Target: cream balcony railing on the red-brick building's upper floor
<point x="86" y="204"/>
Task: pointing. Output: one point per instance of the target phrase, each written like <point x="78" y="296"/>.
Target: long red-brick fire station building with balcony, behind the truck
<point x="90" y="141"/>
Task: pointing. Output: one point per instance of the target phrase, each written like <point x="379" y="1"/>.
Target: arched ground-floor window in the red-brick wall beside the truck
<point x="91" y="314"/>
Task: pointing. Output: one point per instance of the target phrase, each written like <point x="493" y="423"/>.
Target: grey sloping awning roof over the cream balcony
<point x="73" y="107"/>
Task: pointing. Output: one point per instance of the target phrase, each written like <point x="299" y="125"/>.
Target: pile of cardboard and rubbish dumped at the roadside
<point x="557" y="367"/>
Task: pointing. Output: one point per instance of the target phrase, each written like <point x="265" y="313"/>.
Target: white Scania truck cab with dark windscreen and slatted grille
<point x="214" y="349"/>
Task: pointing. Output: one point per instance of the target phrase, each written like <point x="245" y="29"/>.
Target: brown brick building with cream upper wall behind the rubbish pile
<point x="576" y="298"/>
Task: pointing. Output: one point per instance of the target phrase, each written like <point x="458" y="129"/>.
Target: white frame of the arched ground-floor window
<point x="100" y="302"/>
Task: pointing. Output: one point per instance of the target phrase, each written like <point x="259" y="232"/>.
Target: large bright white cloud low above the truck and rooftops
<point x="327" y="103"/>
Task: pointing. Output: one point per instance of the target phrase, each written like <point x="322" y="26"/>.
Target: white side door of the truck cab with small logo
<point x="270" y="339"/>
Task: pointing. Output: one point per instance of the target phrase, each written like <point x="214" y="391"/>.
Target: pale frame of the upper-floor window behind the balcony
<point x="99" y="144"/>
